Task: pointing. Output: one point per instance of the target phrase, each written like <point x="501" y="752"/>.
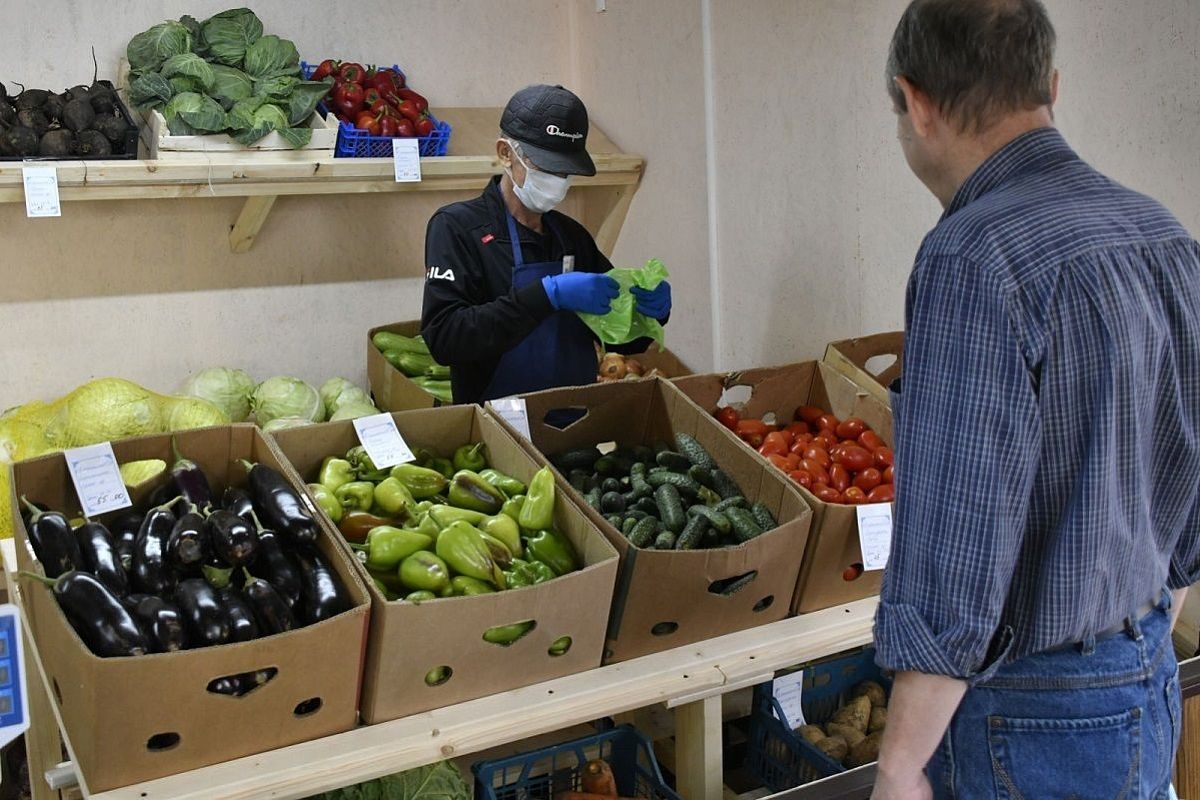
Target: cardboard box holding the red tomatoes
<point x="833" y="544"/>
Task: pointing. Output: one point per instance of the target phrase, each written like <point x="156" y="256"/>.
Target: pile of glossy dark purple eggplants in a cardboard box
<point x="193" y="570"/>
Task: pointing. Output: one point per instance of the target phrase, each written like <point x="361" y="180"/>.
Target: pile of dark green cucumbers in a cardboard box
<point x="665" y="498"/>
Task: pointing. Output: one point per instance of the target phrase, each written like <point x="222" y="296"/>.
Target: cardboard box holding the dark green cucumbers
<point x="663" y="599"/>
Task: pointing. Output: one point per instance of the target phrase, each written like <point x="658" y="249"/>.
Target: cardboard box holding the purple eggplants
<point x="117" y="709"/>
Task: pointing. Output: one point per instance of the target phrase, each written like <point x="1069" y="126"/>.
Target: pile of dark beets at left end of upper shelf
<point x="81" y="123"/>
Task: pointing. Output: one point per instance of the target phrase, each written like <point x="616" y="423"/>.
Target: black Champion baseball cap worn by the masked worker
<point x="551" y="124"/>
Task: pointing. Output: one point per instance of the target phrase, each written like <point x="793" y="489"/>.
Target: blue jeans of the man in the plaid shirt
<point x="1096" y="720"/>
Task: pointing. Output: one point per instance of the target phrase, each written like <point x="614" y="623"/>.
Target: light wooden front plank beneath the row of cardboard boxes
<point x="369" y="753"/>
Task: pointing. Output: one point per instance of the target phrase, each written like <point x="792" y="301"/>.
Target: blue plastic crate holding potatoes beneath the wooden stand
<point x="777" y="755"/>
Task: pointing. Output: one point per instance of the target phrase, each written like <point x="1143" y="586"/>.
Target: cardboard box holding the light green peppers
<point x="407" y="641"/>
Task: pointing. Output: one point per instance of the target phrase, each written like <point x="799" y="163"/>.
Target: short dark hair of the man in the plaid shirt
<point x="977" y="61"/>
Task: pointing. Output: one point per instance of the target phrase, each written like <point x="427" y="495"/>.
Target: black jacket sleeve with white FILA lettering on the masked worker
<point x="460" y="323"/>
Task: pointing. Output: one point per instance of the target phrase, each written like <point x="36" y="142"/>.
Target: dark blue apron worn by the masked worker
<point x="559" y="353"/>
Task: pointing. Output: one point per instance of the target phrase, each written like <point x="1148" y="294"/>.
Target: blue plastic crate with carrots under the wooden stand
<point x="542" y="774"/>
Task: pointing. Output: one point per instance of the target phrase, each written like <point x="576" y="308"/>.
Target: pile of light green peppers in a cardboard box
<point x="445" y="527"/>
